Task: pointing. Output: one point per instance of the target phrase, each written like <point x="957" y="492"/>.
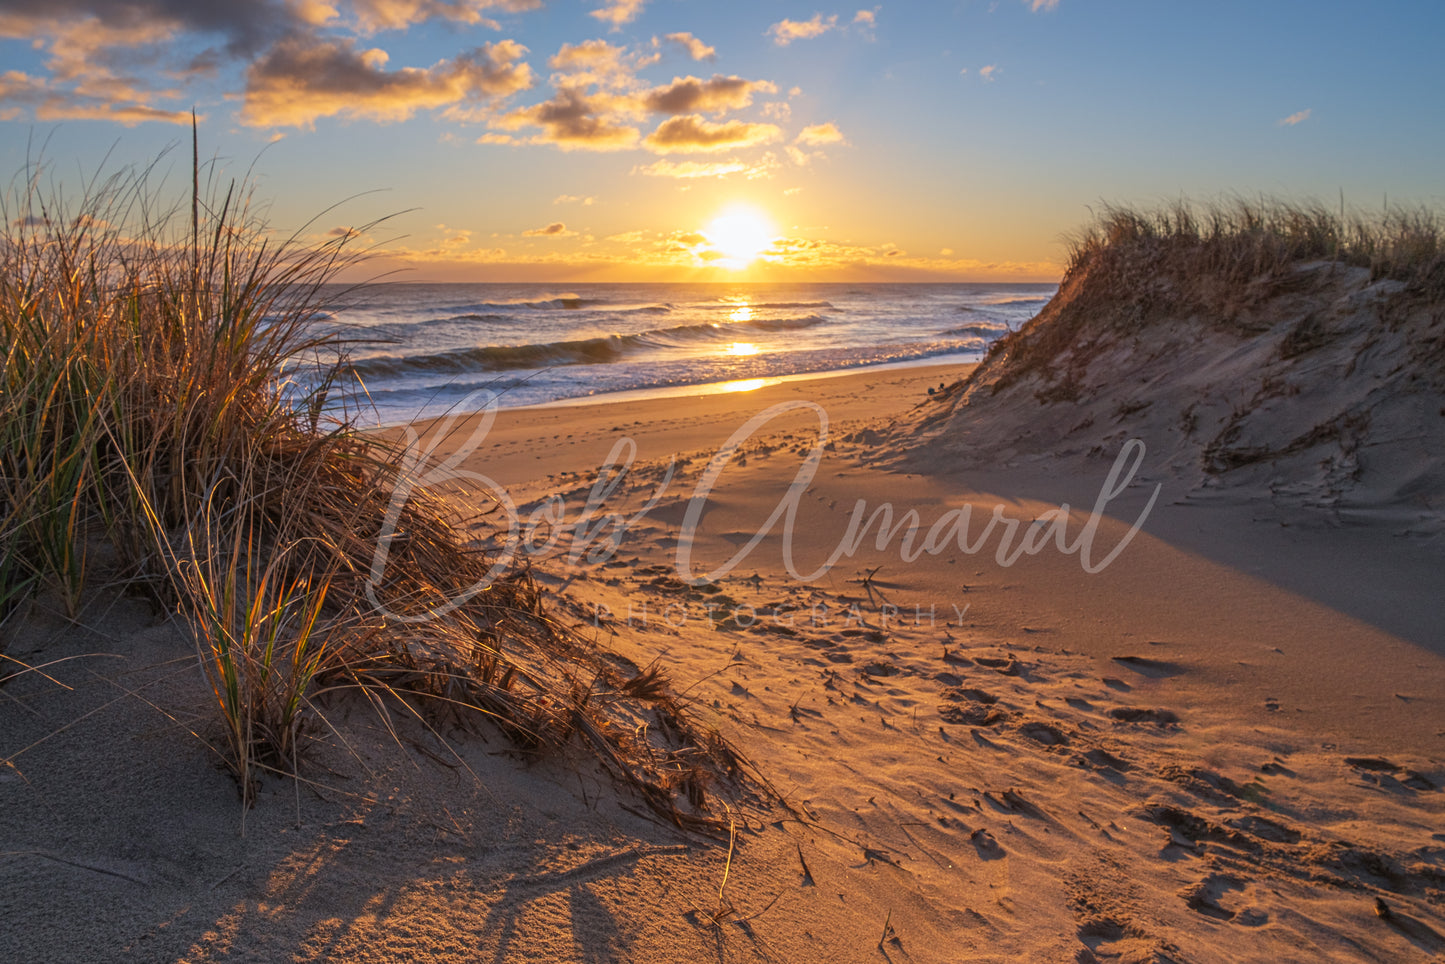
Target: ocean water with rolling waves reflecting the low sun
<point x="426" y="349"/>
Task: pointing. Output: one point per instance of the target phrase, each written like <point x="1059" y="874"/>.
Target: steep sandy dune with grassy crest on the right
<point x="1310" y="382"/>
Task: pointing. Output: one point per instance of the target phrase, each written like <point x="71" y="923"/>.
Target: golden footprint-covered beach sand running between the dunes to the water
<point x="1229" y="745"/>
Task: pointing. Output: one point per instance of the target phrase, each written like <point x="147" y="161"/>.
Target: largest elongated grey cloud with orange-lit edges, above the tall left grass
<point x="304" y="79"/>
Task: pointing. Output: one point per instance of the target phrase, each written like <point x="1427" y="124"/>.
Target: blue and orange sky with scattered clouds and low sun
<point x="628" y="141"/>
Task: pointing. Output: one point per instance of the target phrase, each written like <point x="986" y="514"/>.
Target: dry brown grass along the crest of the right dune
<point x="1215" y="264"/>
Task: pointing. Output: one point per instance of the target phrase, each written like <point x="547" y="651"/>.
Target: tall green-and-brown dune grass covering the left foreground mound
<point x="150" y="401"/>
